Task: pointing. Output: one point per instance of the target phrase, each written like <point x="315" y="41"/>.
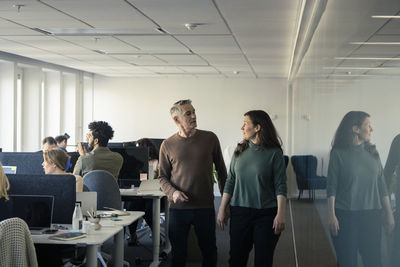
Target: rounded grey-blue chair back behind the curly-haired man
<point x="107" y="189"/>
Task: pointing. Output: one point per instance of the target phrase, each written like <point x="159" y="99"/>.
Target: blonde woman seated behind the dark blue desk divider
<point x="54" y="163"/>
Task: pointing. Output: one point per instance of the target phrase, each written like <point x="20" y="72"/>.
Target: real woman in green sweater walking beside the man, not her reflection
<point x="256" y="190"/>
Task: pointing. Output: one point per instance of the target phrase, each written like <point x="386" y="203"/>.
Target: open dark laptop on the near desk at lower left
<point x="35" y="210"/>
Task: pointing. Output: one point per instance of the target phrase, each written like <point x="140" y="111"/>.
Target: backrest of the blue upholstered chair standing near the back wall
<point x="305" y="166"/>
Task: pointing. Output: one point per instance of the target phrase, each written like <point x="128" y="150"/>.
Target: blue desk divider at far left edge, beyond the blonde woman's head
<point x="26" y="162"/>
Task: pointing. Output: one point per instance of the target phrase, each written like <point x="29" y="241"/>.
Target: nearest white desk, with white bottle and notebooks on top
<point x="96" y="238"/>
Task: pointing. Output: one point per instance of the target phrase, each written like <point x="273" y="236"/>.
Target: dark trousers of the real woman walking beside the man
<point x="250" y="226"/>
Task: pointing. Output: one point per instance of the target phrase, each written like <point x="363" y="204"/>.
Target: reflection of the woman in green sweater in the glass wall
<point x="357" y="194"/>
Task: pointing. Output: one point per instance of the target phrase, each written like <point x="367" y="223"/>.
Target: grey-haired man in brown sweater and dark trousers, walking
<point x="186" y="165"/>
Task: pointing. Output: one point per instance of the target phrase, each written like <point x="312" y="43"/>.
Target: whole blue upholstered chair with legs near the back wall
<point x="305" y="167"/>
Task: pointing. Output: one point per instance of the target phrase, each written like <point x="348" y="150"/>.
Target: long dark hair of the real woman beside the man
<point x="267" y="135"/>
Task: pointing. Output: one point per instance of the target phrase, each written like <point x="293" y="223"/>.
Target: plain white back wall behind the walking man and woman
<point x="138" y="108"/>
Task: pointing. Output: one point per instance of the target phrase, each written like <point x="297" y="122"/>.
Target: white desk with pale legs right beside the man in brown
<point x="128" y="194"/>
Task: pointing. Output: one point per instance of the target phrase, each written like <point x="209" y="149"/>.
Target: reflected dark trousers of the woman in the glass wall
<point x="359" y="231"/>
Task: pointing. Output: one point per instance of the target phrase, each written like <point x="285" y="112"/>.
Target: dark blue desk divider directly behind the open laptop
<point x="62" y="187"/>
